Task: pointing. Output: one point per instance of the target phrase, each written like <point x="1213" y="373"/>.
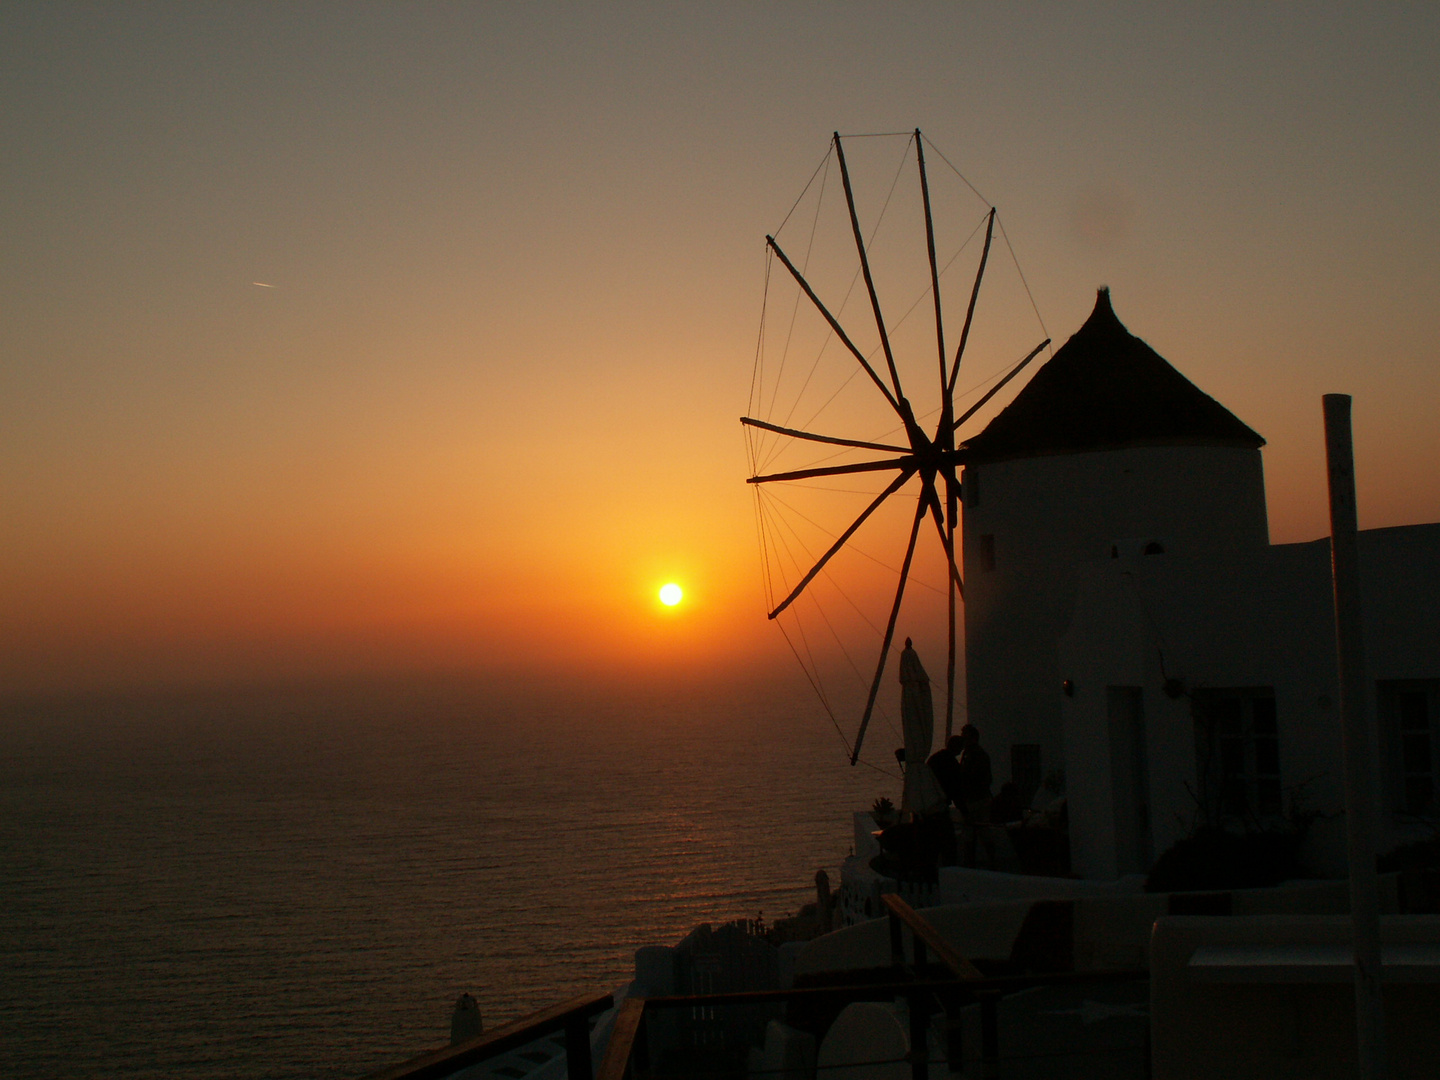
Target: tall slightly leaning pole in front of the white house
<point x="1356" y="737"/>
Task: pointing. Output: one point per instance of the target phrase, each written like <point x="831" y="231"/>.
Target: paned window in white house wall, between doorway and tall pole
<point x="1238" y="751"/>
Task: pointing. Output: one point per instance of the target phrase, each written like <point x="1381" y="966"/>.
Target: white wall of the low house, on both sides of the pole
<point x="1232" y="620"/>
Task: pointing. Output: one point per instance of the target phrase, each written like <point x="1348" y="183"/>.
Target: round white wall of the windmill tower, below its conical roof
<point x="1043" y="519"/>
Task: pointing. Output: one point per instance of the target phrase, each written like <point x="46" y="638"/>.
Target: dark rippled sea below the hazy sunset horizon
<point x="300" y="882"/>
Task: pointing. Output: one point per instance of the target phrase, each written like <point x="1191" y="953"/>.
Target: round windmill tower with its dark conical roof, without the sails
<point x="1108" y="453"/>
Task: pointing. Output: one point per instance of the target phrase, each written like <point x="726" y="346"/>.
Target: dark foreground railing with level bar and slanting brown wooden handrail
<point x="627" y="1056"/>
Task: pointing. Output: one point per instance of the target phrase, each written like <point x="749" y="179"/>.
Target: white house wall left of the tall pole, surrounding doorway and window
<point x="1236" y="620"/>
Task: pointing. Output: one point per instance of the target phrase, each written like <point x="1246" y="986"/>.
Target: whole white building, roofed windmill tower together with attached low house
<point x="1128" y="620"/>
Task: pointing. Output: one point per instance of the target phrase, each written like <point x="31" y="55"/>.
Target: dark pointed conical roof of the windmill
<point x="1107" y="390"/>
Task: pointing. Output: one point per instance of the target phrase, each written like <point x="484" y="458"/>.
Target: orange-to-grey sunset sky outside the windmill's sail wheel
<point x="485" y="398"/>
